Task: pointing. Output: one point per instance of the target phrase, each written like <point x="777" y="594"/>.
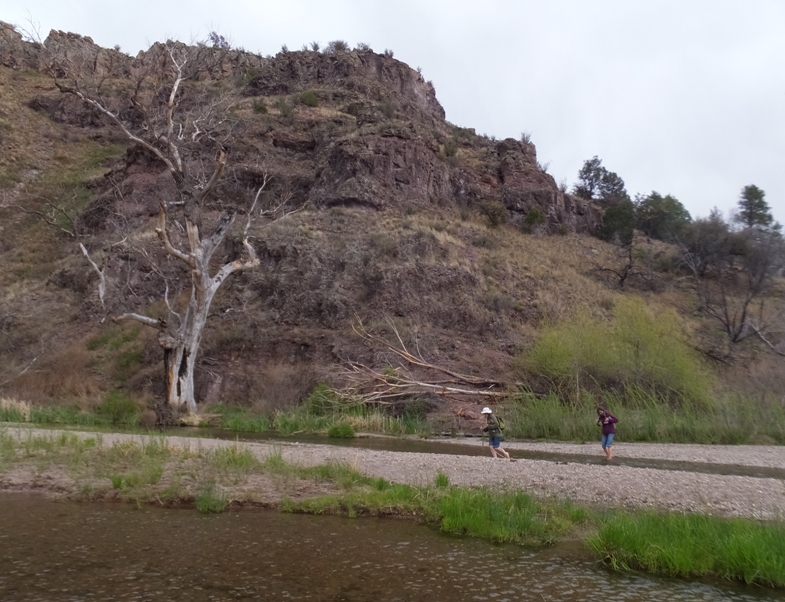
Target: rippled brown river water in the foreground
<point x="67" y="551"/>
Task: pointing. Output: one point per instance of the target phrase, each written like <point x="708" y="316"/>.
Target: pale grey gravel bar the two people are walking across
<point x="604" y="485"/>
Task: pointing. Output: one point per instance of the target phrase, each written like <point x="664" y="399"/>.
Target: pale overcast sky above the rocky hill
<point x="685" y="97"/>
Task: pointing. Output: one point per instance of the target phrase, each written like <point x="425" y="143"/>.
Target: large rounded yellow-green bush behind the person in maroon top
<point x="636" y="349"/>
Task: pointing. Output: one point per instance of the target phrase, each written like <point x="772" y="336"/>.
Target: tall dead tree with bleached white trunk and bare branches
<point x="185" y="130"/>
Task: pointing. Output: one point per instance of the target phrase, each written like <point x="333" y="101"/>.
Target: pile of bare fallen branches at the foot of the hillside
<point x="398" y="383"/>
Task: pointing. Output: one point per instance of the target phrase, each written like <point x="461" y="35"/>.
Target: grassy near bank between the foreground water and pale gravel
<point x="151" y="471"/>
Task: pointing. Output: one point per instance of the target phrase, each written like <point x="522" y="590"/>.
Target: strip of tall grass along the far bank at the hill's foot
<point x="642" y="417"/>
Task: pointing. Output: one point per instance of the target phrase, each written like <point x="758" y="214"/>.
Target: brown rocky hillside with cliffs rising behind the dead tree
<point x="462" y="241"/>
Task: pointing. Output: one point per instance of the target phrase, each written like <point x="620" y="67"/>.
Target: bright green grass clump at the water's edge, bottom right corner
<point x="688" y="545"/>
